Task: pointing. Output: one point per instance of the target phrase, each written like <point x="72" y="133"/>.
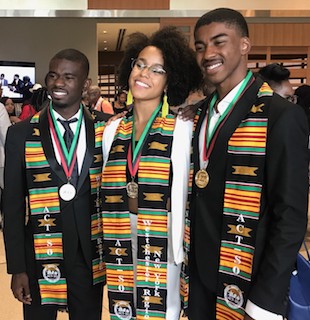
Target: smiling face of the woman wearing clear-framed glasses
<point x="143" y="82"/>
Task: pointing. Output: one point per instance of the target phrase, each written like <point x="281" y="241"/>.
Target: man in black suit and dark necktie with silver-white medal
<point x="55" y="254"/>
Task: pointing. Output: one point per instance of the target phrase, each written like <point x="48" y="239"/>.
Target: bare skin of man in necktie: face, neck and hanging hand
<point x="66" y="80"/>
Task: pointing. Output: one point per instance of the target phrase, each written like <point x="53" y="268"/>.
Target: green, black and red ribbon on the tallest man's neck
<point x="210" y="137"/>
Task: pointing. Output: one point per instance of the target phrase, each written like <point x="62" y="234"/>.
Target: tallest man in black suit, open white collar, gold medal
<point x="248" y="205"/>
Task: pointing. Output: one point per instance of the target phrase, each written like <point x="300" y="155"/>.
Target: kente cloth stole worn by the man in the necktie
<point x="45" y="215"/>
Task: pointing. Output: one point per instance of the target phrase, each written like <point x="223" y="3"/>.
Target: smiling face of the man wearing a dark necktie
<point x="66" y="80"/>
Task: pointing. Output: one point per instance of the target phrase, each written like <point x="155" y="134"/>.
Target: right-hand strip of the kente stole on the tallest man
<point x="246" y="156"/>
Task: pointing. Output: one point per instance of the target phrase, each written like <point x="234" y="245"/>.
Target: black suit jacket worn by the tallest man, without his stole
<point x="284" y="203"/>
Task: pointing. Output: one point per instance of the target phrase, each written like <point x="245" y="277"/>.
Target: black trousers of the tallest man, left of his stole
<point x="202" y="302"/>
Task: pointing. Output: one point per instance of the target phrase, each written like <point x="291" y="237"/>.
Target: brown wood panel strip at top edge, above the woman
<point x="130" y="5"/>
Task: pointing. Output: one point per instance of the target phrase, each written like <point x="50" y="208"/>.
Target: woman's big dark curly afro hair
<point x="183" y="72"/>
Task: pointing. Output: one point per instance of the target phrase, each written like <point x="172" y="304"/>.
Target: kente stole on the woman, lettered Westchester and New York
<point x="141" y="295"/>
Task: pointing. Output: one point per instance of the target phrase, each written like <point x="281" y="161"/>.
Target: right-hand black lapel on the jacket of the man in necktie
<point x="90" y="147"/>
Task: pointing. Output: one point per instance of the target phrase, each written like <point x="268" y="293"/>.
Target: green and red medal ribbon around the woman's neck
<point x="134" y="151"/>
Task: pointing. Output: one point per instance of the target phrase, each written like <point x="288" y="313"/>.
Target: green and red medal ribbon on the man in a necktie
<point x="68" y="159"/>
